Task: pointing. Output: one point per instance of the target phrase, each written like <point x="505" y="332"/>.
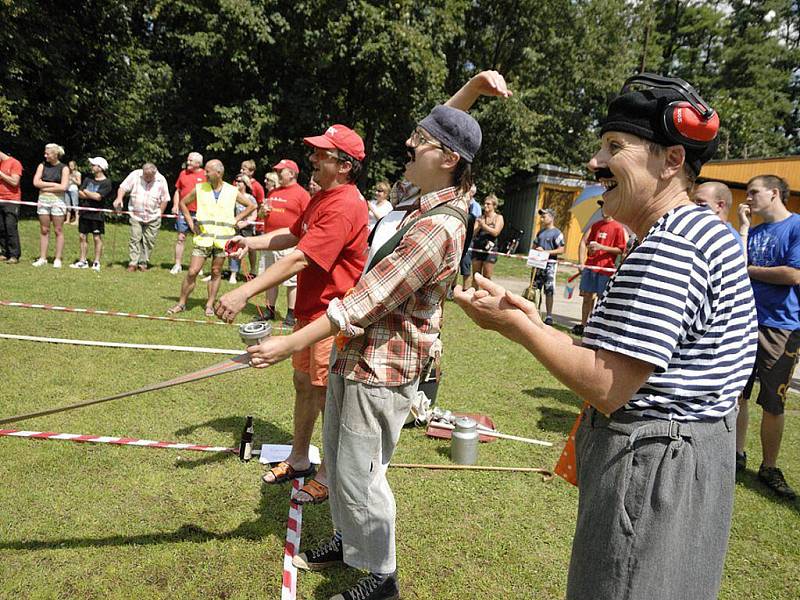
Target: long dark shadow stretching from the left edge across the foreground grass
<point x="270" y="521"/>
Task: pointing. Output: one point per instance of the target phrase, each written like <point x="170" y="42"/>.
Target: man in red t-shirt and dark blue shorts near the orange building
<point x="600" y="246"/>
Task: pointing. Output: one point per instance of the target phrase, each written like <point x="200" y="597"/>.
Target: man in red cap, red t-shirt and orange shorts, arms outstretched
<point x="331" y="243"/>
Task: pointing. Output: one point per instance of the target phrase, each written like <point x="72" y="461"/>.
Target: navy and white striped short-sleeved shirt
<point x="682" y="302"/>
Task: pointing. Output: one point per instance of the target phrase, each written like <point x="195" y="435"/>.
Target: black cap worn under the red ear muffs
<point x="642" y="113"/>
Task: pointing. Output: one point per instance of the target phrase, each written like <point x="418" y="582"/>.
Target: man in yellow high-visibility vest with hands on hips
<point x="214" y="224"/>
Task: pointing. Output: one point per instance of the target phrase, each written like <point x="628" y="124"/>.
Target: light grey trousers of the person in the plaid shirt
<point x="360" y="432"/>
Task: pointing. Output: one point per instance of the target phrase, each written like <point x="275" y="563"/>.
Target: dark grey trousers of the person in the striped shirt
<point x="654" y="508"/>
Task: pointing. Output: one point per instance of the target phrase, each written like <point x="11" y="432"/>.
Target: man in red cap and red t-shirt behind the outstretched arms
<point x="284" y="205"/>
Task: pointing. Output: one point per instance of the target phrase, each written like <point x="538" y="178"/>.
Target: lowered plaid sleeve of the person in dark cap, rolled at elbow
<point x="420" y="258"/>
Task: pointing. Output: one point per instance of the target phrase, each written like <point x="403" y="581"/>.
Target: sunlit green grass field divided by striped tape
<point x="97" y="521"/>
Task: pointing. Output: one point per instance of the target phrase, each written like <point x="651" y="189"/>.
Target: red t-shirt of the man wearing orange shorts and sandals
<point x="333" y="236"/>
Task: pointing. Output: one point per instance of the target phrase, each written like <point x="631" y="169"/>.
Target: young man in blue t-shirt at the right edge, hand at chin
<point x="773" y="252"/>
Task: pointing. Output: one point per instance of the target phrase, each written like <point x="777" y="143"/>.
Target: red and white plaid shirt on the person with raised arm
<point x="395" y="310"/>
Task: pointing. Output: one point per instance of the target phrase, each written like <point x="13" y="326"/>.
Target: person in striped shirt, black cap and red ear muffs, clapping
<point x="664" y="356"/>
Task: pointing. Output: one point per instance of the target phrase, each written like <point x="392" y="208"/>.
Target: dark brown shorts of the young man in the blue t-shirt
<point x="776" y="359"/>
